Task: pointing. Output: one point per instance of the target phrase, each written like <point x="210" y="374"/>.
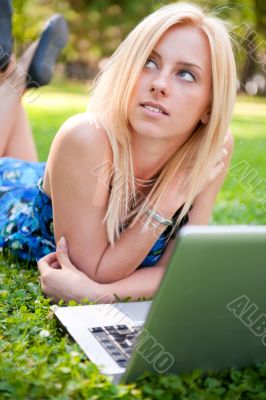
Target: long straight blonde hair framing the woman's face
<point x="110" y="101"/>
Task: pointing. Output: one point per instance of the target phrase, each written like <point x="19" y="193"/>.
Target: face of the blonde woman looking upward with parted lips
<point x="174" y="88"/>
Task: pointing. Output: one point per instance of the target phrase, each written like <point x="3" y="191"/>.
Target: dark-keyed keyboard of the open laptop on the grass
<point x="118" y="340"/>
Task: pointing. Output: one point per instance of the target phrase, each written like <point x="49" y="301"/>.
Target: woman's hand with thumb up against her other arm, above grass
<point x="60" y="279"/>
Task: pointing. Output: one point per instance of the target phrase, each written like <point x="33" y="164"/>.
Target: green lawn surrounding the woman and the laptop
<point x="39" y="361"/>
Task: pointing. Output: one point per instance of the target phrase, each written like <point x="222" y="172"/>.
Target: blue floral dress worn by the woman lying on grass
<point x="26" y="215"/>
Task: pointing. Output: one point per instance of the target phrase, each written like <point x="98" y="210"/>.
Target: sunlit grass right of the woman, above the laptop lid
<point x="238" y="202"/>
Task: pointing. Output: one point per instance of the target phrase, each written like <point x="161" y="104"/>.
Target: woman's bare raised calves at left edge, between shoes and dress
<point x="15" y="131"/>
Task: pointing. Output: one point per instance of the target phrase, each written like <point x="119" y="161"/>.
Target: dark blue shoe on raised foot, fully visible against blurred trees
<point x="53" y="38"/>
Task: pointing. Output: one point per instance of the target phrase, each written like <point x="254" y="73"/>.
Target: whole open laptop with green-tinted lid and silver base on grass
<point x="209" y="311"/>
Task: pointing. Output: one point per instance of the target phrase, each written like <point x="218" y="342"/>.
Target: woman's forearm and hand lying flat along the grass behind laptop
<point x="60" y="279"/>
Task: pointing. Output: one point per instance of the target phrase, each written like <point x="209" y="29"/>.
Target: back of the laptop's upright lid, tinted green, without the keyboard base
<point x="210" y="310"/>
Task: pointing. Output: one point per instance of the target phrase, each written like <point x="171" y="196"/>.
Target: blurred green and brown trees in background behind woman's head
<point x="98" y="26"/>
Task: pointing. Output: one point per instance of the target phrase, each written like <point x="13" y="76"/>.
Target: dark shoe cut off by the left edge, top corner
<point x="5" y="33"/>
